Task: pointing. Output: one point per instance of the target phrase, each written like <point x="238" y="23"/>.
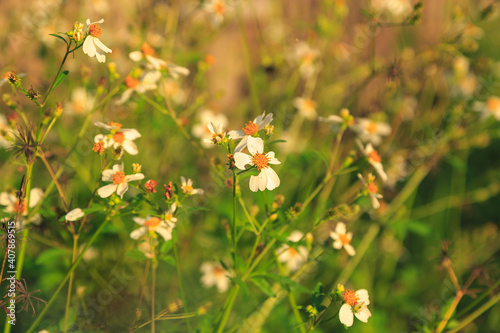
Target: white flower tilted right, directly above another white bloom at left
<point x="119" y="137"/>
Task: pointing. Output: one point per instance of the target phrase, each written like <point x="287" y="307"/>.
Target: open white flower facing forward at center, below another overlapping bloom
<point x="267" y="178"/>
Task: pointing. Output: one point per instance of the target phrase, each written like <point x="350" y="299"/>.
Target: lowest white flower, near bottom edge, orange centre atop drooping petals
<point x="355" y="304"/>
